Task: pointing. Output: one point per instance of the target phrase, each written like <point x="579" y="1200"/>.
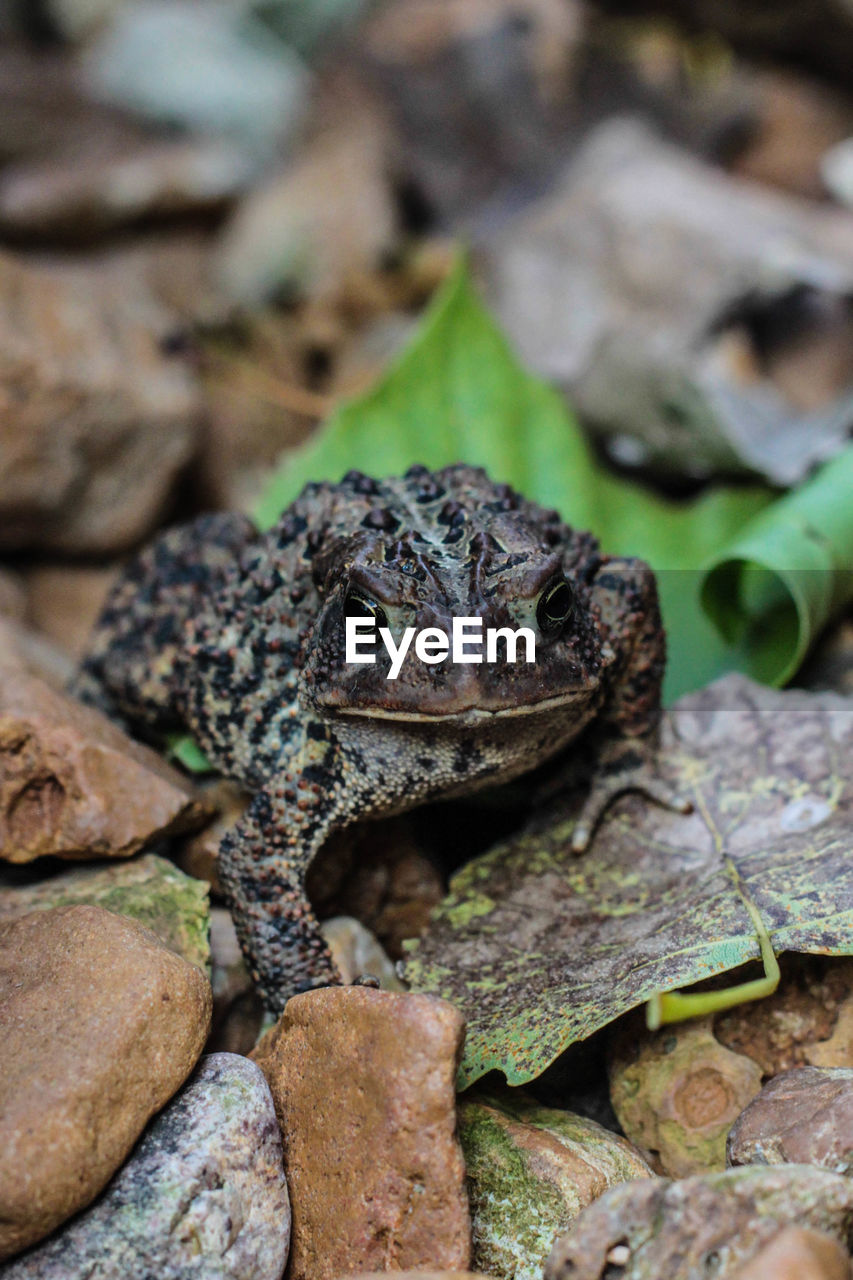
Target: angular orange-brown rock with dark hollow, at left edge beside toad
<point x="74" y="785"/>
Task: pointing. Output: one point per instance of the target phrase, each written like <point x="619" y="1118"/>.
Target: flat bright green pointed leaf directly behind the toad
<point x="459" y="394"/>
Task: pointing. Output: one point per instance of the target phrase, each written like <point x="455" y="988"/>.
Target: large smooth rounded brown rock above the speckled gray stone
<point x="101" y="1026"/>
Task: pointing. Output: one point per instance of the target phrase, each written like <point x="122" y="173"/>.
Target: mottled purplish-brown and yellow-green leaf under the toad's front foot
<point x="662" y="900"/>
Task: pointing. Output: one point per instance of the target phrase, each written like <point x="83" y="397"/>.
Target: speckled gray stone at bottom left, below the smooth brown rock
<point x="203" y="1196"/>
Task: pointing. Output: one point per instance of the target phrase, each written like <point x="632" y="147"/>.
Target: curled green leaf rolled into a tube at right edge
<point x="787" y="574"/>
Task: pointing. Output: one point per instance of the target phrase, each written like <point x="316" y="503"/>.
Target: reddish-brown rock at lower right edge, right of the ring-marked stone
<point x="805" y="1117"/>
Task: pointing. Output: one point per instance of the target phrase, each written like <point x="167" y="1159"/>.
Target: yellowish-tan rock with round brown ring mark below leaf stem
<point x="677" y="1092"/>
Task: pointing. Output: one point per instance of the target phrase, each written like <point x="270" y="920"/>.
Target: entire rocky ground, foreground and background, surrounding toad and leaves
<point x="194" y="273"/>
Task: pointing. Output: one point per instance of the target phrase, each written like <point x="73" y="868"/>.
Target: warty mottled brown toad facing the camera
<point x="239" y="638"/>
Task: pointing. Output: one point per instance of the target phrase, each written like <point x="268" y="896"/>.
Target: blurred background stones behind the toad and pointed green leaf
<point x="221" y="218"/>
